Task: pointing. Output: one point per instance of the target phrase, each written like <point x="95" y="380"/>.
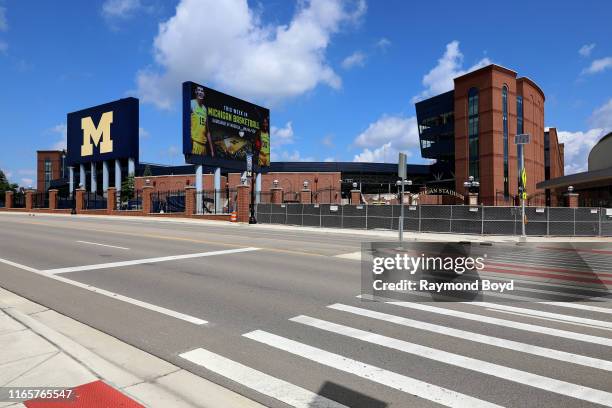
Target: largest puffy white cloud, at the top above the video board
<point x="224" y="43"/>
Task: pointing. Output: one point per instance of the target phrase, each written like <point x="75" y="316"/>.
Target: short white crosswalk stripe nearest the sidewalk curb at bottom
<point x="256" y="380"/>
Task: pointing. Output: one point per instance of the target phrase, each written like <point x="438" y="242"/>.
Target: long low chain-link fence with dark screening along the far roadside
<point x="457" y="219"/>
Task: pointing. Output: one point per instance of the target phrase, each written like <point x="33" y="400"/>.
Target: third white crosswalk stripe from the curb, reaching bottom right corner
<point x="511" y="374"/>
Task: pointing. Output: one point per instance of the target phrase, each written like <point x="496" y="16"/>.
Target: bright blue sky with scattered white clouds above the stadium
<point x="340" y="77"/>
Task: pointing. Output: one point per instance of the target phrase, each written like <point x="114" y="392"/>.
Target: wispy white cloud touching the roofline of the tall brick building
<point x="450" y="66"/>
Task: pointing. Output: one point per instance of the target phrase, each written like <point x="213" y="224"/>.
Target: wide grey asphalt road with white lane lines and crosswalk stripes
<point x="246" y="283"/>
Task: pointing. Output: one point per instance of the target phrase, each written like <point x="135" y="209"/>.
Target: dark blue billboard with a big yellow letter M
<point x="103" y="132"/>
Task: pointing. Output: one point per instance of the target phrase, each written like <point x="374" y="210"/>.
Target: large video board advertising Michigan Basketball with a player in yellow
<point x="221" y="130"/>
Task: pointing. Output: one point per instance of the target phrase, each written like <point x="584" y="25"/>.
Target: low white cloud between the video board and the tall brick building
<point x="385" y="138"/>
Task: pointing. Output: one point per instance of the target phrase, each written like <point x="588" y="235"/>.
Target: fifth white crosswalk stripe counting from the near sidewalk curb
<point x="503" y="322"/>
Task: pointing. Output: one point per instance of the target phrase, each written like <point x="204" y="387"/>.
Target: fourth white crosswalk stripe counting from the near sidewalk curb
<point x="480" y="338"/>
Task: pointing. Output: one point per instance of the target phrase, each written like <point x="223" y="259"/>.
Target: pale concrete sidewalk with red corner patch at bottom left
<point x="42" y="348"/>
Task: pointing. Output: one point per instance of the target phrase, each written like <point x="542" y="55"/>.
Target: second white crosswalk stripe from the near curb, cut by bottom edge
<point x="390" y="379"/>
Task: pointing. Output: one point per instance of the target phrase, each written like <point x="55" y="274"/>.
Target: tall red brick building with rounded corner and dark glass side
<point x="471" y="130"/>
